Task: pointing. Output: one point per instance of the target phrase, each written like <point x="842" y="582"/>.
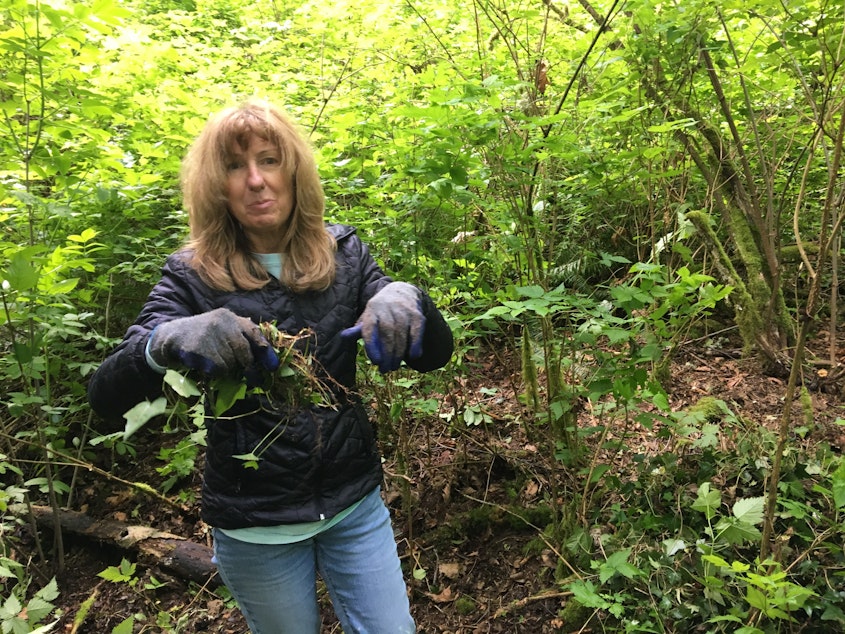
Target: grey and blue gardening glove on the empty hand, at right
<point x="392" y="326"/>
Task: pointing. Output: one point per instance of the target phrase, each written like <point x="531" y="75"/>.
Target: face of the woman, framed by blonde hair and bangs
<point x="260" y="196"/>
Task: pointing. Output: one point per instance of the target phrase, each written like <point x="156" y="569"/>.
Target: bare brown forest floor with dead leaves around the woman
<point x="486" y="570"/>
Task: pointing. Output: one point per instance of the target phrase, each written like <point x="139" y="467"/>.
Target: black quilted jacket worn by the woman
<point x="320" y="460"/>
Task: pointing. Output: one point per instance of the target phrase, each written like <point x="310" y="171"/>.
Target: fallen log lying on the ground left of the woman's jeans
<point x="186" y="559"/>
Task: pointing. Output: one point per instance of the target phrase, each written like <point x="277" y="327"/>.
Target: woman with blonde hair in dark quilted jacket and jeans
<point x="260" y="251"/>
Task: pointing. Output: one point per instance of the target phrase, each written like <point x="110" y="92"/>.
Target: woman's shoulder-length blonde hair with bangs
<point x="221" y="251"/>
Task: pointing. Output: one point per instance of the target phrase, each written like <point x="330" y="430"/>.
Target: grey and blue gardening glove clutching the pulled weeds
<point x="215" y="343"/>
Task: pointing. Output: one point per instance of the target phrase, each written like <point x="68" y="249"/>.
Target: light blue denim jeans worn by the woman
<point x="276" y="585"/>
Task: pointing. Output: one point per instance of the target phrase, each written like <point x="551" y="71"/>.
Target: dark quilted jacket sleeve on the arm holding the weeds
<point x="124" y="379"/>
